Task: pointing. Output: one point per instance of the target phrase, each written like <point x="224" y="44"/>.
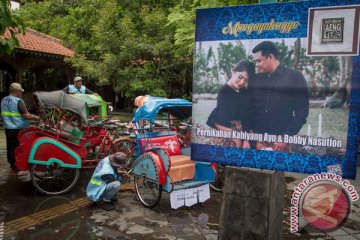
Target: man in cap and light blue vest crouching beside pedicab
<point x="105" y="181"/>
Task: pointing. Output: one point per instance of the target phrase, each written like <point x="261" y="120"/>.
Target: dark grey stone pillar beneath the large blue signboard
<point x="252" y="204"/>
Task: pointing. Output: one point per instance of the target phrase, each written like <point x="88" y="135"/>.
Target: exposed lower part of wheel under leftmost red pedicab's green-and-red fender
<point x="53" y="179"/>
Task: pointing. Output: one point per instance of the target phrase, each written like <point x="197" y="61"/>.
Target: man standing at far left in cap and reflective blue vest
<point x="15" y="117"/>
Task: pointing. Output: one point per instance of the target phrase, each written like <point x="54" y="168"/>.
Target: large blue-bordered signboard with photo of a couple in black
<point x="276" y="86"/>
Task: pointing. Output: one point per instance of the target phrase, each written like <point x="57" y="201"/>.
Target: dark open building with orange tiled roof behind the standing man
<point x="38" y="63"/>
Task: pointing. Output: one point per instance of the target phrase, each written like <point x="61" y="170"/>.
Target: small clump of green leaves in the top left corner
<point x="9" y="21"/>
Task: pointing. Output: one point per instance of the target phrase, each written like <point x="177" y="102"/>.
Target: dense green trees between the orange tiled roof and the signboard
<point x="138" y="47"/>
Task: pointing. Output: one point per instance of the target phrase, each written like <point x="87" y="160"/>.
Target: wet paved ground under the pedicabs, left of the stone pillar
<point x="30" y="215"/>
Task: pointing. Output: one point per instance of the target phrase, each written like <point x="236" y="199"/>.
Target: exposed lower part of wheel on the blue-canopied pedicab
<point x="148" y="192"/>
